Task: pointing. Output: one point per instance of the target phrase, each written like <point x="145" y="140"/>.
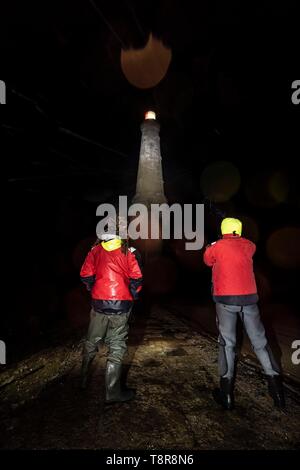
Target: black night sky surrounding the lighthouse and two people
<point x="70" y="132"/>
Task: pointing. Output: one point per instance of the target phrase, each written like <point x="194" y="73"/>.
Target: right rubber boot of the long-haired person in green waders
<point x="114" y="393"/>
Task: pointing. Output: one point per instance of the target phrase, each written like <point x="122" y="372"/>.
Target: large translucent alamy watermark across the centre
<point x="157" y="221"/>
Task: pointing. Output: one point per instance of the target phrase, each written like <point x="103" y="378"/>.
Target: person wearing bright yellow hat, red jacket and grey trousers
<point x="235" y="294"/>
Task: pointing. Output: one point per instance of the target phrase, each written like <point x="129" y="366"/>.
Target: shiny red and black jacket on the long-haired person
<point x="113" y="277"/>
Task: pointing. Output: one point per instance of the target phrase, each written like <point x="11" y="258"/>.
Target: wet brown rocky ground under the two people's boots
<point x="173" y="368"/>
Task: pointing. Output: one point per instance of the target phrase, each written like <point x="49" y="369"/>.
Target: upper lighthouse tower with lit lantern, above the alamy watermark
<point x="150" y="185"/>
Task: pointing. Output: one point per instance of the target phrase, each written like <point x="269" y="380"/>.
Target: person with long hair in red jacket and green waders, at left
<point x="112" y="273"/>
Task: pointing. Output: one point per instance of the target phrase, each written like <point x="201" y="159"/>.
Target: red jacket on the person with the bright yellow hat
<point x="232" y="270"/>
